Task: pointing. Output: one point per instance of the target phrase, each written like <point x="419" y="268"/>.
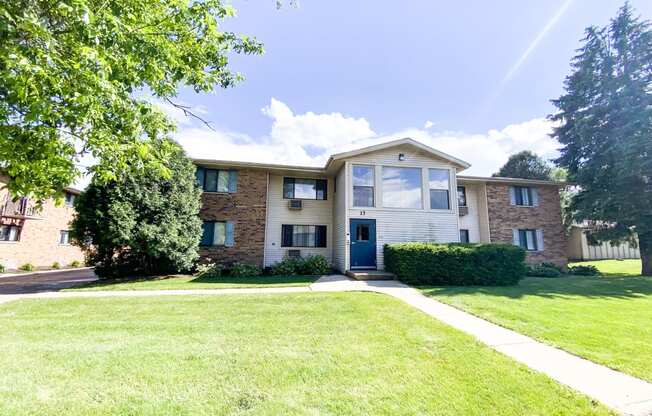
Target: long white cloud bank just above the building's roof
<point x="310" y="138"/>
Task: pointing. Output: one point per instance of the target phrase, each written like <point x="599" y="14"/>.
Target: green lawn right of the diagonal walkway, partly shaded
<point x="605" y="319"/>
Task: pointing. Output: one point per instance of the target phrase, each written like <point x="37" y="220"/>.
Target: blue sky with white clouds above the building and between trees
<point x="342" y="74"/>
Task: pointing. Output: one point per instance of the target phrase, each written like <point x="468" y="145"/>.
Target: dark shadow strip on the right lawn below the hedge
<point x="561" y="287"/>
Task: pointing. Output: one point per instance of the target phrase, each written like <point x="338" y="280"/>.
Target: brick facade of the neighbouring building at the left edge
<point x="39" y="237"/>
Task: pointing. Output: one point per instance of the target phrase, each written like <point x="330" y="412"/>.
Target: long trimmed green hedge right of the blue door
<point x="455" y="263"/>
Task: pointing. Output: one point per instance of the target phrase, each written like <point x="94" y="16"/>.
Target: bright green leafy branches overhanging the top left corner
<point x="69" y="70"/>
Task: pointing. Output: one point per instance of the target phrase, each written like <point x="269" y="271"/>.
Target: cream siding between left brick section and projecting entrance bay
<point x="313" y="212"/>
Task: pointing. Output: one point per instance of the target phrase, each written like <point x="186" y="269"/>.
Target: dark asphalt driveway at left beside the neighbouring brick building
<point x="44" y="282"/>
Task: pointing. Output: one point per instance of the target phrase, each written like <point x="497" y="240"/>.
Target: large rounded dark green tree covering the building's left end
<point x="141" y="223"/>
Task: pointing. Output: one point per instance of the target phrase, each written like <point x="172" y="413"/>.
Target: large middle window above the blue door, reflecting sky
<point x="402" y="187"/>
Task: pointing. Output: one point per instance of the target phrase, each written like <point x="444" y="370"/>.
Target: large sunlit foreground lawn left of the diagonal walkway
<point x="312" y="353"/>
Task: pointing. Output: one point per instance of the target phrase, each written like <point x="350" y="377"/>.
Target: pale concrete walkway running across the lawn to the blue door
<point x="626" y="394"/>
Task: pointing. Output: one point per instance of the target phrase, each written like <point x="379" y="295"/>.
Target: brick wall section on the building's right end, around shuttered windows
<point x="503" y="218"/>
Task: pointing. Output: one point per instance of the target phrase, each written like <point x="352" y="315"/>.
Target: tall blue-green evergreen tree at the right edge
<point x="605" y="127"/>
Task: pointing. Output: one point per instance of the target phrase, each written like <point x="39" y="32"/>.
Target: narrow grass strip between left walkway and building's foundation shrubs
<point x="194" y="282"/>
